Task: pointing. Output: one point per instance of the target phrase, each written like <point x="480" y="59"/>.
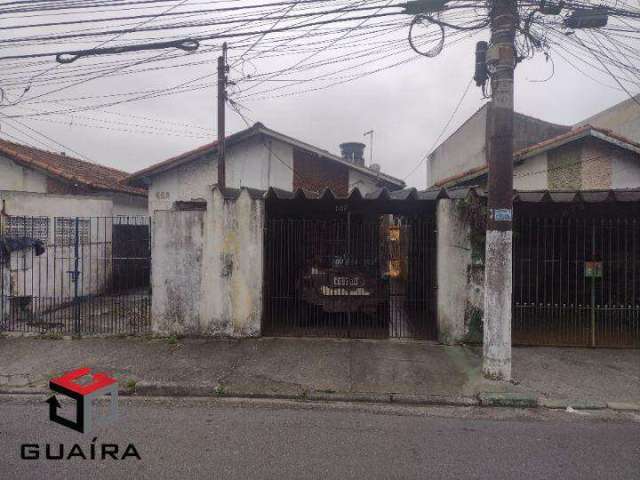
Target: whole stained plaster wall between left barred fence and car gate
<point x="207" y="268"/>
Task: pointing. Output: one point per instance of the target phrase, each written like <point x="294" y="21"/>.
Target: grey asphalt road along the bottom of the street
<point x="183" y="439"/>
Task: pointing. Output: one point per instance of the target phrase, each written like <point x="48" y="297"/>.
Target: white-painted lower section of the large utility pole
<point x="496" y="363"/>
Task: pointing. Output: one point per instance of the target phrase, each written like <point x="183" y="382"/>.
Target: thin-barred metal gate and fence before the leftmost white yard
<point x="75" y="275"/>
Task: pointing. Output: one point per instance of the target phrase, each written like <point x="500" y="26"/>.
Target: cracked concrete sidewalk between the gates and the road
<point x="323" y="369"/>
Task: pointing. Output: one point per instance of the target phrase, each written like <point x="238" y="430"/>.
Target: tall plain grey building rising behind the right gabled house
<point x="465" y="151"/>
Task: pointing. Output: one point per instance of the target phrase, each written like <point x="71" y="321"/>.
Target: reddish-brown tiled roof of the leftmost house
<point x="69" y="169"/>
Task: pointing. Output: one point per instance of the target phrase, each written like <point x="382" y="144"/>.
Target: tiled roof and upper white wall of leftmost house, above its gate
<point x="41" y="183"/>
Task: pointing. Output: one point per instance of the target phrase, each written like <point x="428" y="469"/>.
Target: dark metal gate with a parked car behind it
<point x="351" y="276"/>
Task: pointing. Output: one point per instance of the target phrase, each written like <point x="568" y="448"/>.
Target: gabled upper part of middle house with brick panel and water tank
<point x="259" y="157"/>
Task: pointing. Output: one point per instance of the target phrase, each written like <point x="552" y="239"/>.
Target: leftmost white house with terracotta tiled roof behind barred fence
<point x="79" y="212"/>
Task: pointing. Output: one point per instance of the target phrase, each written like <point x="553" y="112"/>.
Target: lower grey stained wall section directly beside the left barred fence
<point x="176" y="249"/>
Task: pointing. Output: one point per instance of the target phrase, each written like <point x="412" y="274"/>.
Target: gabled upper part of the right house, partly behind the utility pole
<point x="585" y="158"/>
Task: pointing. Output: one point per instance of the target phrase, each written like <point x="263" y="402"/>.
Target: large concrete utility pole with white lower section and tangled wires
<point x="501" y="60"/>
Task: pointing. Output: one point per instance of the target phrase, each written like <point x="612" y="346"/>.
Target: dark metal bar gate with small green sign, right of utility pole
<point x="577" y="277"/>
